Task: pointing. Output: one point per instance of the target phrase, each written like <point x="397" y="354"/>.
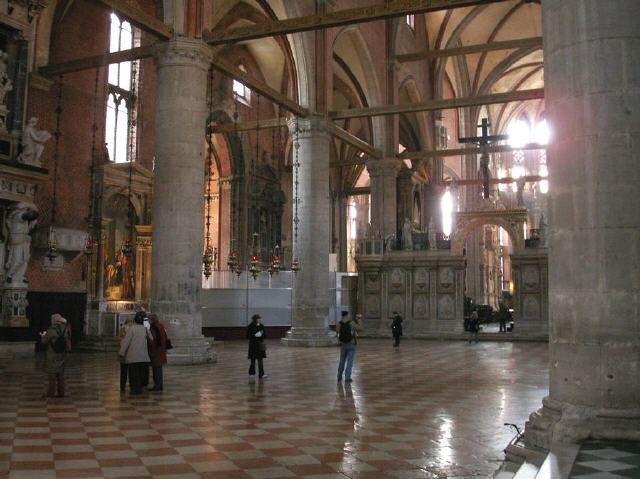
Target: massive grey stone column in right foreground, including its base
<point x="592" y="89"/>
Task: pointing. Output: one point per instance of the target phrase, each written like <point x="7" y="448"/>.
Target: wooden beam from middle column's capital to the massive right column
<point x="518" y="95"/>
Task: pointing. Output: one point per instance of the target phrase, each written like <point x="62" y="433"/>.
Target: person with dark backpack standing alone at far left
<point x="57" y="342"/>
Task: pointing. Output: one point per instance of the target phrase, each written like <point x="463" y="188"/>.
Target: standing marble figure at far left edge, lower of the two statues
<point x="20" y="222"/>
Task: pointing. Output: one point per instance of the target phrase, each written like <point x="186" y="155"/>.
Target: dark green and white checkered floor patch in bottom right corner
<point x="607" y="460"/>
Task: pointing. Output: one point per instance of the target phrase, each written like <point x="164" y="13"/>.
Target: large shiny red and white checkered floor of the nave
<point x="431" y="409"/>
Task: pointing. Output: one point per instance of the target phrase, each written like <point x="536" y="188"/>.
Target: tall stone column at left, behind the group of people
<point x="178" y="202"/>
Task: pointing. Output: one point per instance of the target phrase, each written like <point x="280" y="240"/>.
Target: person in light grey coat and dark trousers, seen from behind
<point x="134" y="352"/>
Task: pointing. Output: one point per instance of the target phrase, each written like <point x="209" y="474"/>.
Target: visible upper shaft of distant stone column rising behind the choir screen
<point x="383" y="174"/>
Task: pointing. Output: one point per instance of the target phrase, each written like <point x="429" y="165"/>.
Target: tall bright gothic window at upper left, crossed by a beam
<point x="120" y="99"/>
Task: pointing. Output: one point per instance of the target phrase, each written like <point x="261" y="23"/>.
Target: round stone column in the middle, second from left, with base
<point x="311" y="295"/>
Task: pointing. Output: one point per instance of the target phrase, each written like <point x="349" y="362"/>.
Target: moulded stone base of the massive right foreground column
<point x="568" y="423"/>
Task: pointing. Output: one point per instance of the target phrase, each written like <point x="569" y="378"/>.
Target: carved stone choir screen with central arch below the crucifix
<point x="425" y="283"/>
